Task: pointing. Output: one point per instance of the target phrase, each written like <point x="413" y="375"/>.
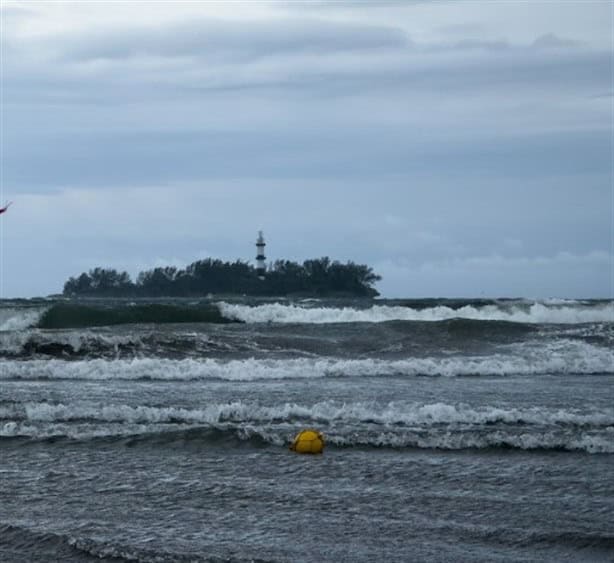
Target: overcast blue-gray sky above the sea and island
<point x="460" y="148"/>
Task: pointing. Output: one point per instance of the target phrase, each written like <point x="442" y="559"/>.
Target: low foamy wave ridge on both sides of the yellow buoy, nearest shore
<point x="449" y="439"/>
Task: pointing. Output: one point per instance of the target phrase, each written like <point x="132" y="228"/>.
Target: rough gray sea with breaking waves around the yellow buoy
<point x="159" y="430"/>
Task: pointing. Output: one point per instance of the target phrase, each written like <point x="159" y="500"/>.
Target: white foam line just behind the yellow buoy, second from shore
<point x="326" y="412"/>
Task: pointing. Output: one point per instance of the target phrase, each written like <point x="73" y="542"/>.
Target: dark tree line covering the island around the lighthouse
<point x="320" y="277"/>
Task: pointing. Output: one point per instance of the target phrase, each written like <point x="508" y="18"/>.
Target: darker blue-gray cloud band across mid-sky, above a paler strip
<point x="143" y="158"/>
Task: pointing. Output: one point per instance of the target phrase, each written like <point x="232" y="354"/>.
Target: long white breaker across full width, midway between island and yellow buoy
<point x="564" y="357"/>
